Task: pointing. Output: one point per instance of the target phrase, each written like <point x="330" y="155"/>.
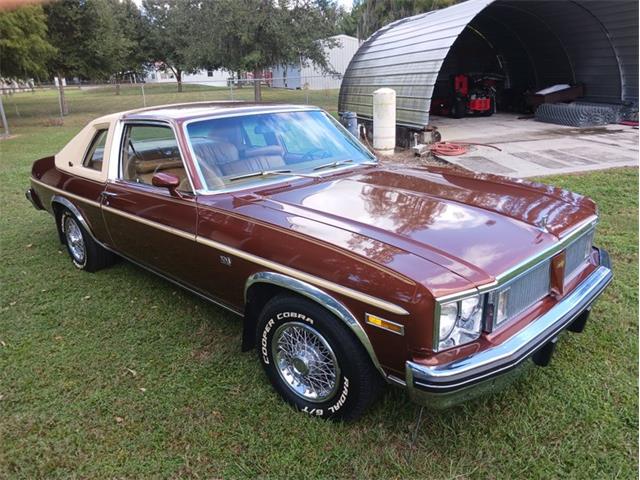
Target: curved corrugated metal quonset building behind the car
<point x="532" y="43"/>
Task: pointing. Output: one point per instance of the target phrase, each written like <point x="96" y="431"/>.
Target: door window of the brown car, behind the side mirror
<point x="149" y="149"/>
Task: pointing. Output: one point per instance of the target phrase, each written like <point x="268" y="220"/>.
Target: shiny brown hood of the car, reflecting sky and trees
<point x="477" y="226"/>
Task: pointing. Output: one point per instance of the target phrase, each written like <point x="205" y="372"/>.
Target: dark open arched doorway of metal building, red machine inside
<point x="512" y="50"/>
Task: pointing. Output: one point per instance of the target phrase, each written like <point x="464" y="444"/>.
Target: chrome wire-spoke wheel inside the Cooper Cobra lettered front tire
<point x="305" y="362"/>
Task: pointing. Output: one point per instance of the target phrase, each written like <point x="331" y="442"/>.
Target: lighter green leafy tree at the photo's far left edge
<point x="24" y="47"/>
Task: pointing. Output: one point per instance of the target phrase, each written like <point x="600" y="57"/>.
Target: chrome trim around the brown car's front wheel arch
<point x="323" y="299"/>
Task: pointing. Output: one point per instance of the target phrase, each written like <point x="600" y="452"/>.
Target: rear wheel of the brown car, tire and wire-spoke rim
<point x="86" y="254"/>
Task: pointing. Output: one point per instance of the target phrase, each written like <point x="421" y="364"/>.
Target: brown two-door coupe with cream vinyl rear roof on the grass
<point x="347" y="273"/>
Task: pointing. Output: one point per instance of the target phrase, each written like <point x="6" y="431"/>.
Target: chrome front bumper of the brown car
<point x="441" y="386"/>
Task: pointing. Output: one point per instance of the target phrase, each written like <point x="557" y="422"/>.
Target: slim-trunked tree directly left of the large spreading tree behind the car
<point x="168" y="41"/>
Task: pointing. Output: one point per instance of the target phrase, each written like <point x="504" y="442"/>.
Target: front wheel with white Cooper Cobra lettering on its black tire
<point x="313" y="361"/>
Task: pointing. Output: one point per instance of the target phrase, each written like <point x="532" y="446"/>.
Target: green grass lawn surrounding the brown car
<point x="120" y="374"/>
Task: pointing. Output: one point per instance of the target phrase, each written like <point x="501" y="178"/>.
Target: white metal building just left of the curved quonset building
<point x="312" y="77"/>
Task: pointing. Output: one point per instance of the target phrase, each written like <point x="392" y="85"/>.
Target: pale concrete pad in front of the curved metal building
<point x="530" y="148"/>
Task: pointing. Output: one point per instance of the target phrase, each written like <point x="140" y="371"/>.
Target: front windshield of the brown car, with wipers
<point x="249" y="148"/>
